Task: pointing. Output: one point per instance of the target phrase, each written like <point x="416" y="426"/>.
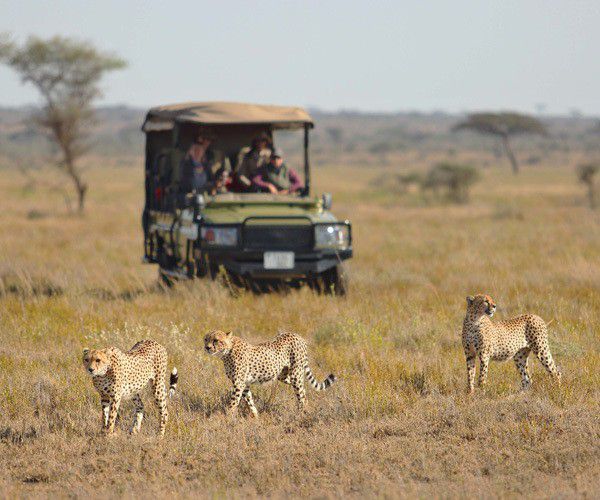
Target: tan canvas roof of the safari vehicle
<point x="225" y="113"/>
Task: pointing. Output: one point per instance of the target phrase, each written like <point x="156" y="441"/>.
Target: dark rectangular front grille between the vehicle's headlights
<point x="278" y="237"/>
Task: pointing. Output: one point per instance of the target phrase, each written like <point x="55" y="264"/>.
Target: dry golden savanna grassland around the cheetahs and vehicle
<point x="398" y="423"/>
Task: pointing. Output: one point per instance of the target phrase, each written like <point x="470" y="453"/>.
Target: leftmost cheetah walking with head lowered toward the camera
<point x="117" y="375"/>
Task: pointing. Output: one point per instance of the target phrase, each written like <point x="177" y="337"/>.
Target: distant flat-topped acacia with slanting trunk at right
<point x="504" y="126"/>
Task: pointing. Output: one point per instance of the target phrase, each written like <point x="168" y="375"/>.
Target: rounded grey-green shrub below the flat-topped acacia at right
<point x="452" y="179"/>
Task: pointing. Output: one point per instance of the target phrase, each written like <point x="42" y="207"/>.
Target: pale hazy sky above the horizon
<point x="381" y="55"/>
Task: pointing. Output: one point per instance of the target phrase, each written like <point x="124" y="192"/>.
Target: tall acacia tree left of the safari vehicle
<point x="67" y="74"/>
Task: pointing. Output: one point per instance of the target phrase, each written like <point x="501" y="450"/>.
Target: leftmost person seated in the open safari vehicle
<point x="196" y="168"/>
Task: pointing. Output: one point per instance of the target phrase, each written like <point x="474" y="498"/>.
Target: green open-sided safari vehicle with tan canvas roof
<point x="256" y="240"/>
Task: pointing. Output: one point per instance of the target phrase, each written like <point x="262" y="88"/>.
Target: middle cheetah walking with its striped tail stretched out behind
<point x="284" y="359"/>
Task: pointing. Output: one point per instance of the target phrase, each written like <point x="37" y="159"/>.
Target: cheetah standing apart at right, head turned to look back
<point x="512" y="338"/>
